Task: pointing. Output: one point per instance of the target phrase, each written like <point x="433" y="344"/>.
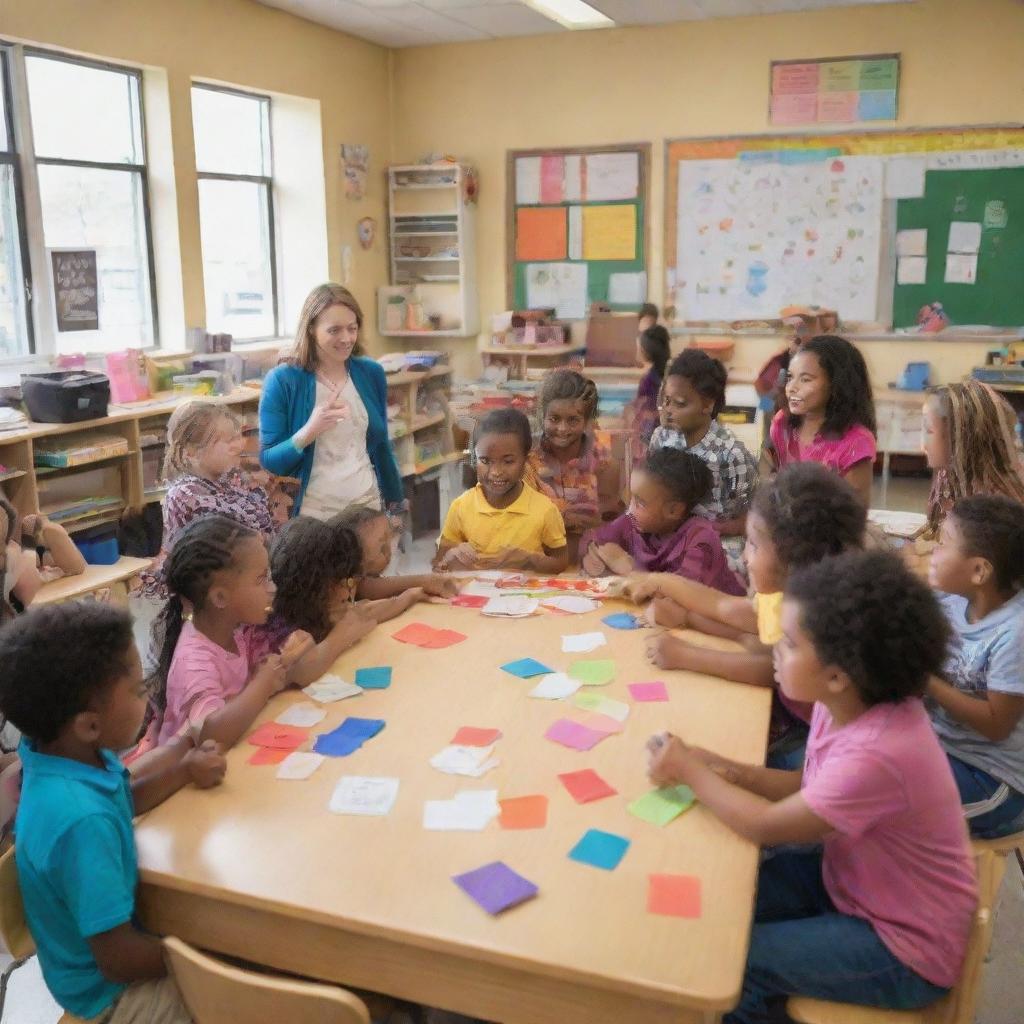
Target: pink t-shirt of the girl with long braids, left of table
<point x="204" y="677"/>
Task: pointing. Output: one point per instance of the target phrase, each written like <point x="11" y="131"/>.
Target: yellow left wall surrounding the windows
<point x="242" y="44"/>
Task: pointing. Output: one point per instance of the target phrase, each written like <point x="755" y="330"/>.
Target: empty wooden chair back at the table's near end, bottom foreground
<point x="220" y="994"/>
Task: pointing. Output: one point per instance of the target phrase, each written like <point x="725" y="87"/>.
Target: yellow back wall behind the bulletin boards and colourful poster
<point x="961" y="65"/>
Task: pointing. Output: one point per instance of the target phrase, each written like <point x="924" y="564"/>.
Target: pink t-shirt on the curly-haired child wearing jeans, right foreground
<point x="900" y="857"/>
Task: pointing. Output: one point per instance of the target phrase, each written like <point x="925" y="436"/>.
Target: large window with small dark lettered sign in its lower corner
<point x="87" y="129"/>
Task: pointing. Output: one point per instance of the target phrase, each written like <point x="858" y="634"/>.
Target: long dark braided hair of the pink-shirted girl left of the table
<point x="206" y="546"/>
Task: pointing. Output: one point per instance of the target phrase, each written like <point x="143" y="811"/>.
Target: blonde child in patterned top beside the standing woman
<point x="202" y="465"/>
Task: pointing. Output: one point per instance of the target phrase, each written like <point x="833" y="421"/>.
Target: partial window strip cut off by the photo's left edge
<point x="16" y="337"/>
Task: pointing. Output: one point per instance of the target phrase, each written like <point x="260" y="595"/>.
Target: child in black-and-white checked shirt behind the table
<point x="693" y="397"/>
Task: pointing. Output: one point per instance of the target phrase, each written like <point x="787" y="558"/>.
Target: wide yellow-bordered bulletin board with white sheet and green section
<point x="754" y="224"/>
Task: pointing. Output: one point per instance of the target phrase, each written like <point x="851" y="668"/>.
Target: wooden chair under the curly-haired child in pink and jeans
<point x="956" y="1008"/>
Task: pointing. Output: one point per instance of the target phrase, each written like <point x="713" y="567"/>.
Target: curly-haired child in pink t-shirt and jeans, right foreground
<point x="880" y="915"/>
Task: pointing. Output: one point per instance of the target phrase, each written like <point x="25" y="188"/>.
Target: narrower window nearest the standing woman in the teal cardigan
<point x="236" y="211"/>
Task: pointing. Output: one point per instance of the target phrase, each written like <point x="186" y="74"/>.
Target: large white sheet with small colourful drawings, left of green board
<point x="754" y="236"/>
